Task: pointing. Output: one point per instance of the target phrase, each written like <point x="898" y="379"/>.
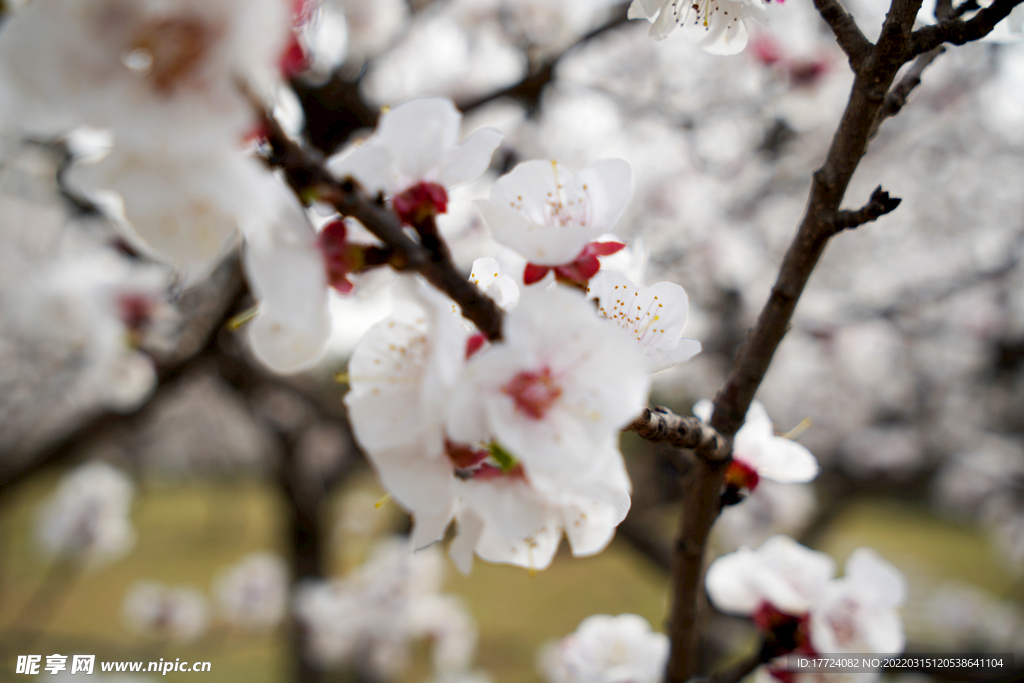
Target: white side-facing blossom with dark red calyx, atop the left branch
<point x="413" y="157"/>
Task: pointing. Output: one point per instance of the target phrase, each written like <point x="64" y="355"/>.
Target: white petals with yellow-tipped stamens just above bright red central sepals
<point x="549" y="219"/>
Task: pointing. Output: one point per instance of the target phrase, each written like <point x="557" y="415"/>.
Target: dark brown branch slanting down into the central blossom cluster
<point x="308" y="176"/>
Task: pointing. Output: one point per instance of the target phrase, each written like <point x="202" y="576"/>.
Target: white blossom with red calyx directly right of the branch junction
<point x="757" y="452"/>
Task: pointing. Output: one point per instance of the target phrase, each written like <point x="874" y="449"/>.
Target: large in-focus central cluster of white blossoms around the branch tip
<point x="516" y="440"/>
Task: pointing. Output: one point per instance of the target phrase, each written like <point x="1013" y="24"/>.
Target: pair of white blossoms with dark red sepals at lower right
<point x="793" y="596"/>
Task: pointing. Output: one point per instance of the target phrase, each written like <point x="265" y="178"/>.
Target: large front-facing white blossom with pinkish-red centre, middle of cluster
<point x="559" y="388"/>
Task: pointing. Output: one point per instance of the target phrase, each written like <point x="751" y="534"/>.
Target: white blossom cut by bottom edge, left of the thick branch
<point x="608" y="650"/>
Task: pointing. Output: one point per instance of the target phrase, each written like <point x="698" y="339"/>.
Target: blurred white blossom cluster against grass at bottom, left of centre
<point x="371" y="618"/>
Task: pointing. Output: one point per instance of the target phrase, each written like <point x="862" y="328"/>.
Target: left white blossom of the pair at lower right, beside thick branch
<point x="781" y="574"/>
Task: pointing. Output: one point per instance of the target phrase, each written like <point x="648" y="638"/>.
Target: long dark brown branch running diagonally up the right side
<point x="874" y="77"/>
